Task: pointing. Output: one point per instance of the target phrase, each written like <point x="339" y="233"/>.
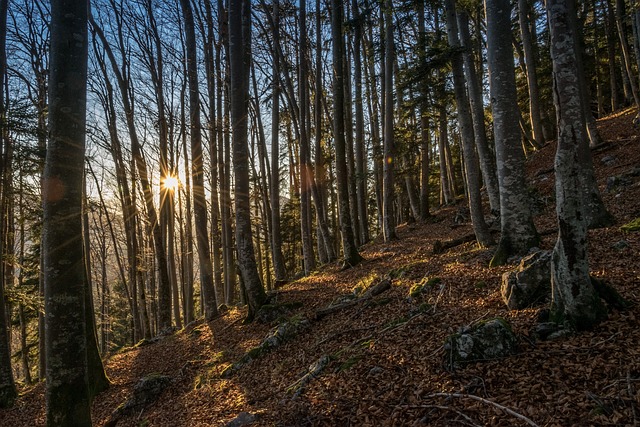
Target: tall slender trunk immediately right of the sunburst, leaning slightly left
<point x="197" y="168"/>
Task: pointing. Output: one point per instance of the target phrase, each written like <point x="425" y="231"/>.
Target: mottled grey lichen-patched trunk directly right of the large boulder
<point x="574" y="299"/>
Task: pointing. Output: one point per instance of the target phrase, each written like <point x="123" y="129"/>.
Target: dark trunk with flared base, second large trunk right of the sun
<point x="239" y="59"/>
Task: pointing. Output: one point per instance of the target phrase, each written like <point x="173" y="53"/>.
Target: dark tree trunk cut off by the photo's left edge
<point x="8" y="391"/>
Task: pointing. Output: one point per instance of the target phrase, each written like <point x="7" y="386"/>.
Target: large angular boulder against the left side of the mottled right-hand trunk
<point x="530" y="283"/>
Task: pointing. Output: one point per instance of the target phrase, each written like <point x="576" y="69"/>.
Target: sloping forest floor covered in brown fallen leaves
<point x="386" y="355"/>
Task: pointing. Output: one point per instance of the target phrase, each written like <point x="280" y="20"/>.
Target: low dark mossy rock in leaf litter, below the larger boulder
<point x="489" y="340"/>
